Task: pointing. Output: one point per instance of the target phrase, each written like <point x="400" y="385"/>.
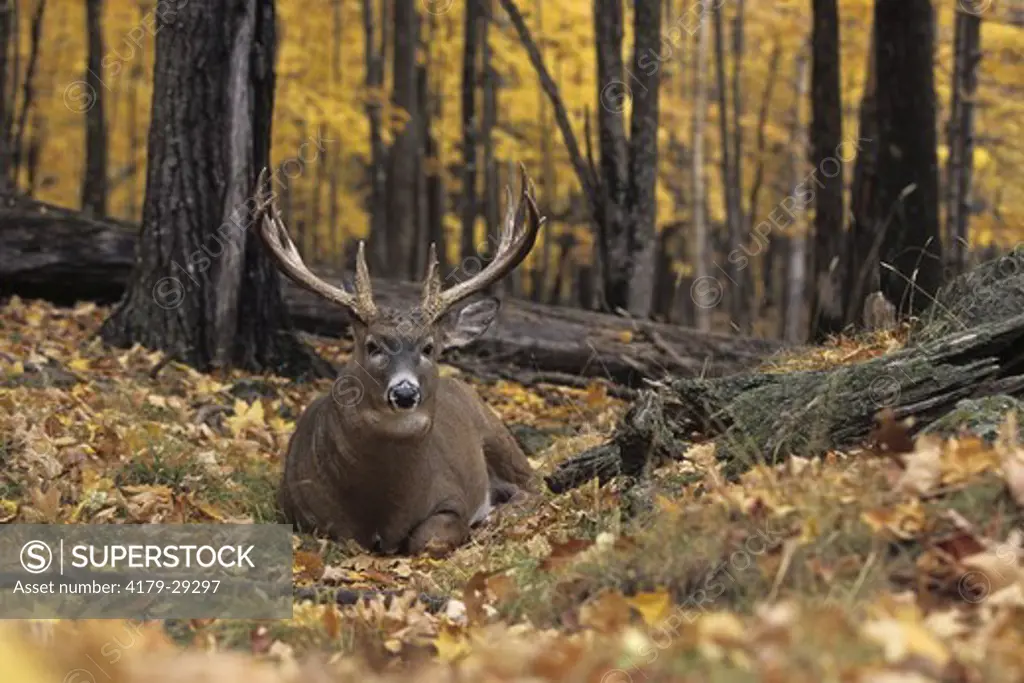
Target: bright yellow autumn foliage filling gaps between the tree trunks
<point x="321" y="88"/>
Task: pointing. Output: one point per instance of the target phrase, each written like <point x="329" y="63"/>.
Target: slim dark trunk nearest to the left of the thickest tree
<point x="95" y="181"/>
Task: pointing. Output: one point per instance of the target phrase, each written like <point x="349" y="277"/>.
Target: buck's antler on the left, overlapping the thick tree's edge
<point x="275" y="236"/>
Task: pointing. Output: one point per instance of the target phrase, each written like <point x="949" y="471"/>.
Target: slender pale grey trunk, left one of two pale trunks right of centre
<point x="702" y="279"/>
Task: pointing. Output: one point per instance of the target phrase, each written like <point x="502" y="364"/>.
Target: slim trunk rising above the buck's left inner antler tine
<point x="378" y="176"/>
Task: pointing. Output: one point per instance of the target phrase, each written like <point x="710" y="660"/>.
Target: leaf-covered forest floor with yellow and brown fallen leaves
<point x="861" y="567"/>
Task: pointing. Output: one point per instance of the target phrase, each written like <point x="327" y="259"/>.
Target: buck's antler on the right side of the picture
<point x="518" y="238"/>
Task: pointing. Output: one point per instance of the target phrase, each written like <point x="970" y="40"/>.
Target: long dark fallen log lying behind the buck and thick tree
<point x="56" y="254"/>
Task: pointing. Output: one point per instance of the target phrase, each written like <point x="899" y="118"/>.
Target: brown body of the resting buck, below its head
<point x="346" y="480"/>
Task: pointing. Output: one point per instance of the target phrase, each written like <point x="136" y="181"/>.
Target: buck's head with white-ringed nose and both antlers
<point x="397" y="352"/>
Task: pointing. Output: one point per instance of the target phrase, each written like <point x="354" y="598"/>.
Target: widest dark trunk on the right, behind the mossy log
<point x="908" y="196"/>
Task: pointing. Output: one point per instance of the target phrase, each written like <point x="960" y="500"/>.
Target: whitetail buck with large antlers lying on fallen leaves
<point x="406" y="460"/>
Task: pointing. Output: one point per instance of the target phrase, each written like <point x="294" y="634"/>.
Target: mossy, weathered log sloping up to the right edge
<point x="769" y="417"/>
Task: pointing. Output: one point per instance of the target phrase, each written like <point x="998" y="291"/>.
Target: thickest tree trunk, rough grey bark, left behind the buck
<point x="203" y="288"/>
